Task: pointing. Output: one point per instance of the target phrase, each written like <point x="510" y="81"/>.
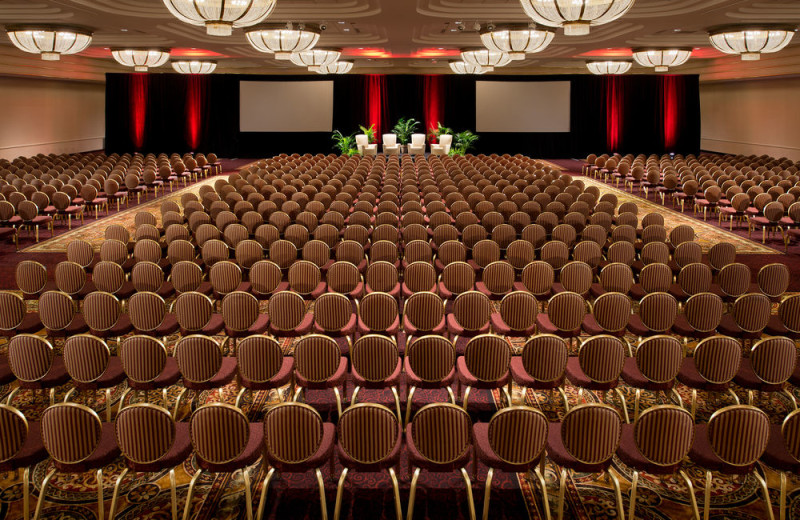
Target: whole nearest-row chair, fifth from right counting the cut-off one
<point x="497" y="445"/>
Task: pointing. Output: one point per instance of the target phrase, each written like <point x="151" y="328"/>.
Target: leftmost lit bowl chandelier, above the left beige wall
<point x="50" y="41"/>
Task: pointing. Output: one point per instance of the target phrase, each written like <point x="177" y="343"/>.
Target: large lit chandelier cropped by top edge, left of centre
<point x="221" y="16"/>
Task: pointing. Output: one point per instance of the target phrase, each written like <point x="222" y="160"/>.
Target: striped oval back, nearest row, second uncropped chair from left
<point x="145" y="432"/>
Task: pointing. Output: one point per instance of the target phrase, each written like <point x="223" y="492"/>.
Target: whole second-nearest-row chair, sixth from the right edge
<point x="485" y="365"/>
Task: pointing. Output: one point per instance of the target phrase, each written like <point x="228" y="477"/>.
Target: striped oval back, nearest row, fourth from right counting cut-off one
<point x="591" y="432"/>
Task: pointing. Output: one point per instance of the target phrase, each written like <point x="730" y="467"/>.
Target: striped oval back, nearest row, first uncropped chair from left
<point x="70" y="432"/>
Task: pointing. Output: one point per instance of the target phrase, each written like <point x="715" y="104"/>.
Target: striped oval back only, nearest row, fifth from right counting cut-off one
<point x="518" y="434"/>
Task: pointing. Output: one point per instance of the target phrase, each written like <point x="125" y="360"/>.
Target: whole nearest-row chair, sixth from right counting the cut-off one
<point x="439" y="440"/>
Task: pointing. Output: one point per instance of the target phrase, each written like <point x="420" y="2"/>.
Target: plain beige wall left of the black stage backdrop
<point x="50" y="116"/>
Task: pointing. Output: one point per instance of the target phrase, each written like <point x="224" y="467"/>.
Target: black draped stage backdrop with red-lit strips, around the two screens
<point x="172" y="112"/>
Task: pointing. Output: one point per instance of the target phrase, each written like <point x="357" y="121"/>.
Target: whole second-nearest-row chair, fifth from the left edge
<point x="262" y="366"/>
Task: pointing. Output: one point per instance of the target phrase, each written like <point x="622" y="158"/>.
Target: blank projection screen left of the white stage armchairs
<point x="285" y="106"/>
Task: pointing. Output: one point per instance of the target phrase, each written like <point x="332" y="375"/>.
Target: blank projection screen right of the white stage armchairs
<point x="522" y="106"/>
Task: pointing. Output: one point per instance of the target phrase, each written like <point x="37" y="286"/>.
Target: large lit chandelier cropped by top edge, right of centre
<point x="575" y="16"/>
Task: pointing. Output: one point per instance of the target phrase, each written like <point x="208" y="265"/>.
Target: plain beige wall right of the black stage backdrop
<point x="752" y="117"/>
